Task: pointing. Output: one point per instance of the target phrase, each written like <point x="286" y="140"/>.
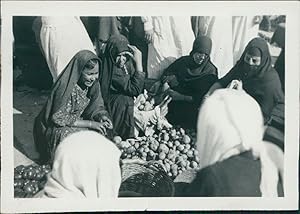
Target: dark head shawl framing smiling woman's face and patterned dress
<point x="61" y="92"/>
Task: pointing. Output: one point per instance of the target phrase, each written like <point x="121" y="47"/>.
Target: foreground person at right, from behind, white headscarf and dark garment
<point x="233" y="158"/>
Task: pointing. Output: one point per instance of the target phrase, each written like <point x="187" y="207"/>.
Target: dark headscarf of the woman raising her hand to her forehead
<point x="115" y="45"/>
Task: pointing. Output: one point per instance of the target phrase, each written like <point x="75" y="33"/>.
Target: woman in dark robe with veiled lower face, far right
<point x="259" y="78"/>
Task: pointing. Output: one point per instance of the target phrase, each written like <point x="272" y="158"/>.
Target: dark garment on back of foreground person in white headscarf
<point x="238" y="176"/>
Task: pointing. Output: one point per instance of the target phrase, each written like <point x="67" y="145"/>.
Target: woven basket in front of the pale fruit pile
<point x="146" y="180"/>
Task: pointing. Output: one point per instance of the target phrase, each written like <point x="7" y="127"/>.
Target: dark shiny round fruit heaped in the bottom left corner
<point x="28" y="180"/>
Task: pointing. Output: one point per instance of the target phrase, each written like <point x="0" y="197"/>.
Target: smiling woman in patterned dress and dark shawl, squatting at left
<point x="75" y="103"/>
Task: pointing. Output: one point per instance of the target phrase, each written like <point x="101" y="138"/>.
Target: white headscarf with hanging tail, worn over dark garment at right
<point x="230" y="122"/>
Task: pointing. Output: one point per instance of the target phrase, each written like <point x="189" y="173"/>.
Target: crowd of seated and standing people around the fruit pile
<point x="223" y="86"/>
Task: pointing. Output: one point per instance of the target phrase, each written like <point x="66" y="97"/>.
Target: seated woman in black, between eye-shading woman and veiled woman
<point x="189" y="79"/>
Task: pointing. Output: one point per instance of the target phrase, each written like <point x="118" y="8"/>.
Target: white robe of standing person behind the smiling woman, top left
<point x="60" y="39"/>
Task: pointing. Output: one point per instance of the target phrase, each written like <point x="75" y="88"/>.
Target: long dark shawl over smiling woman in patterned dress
<point x="45" y="130"/>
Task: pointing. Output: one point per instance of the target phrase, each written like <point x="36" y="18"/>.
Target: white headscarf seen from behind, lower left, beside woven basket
<point x="86" y="164"/>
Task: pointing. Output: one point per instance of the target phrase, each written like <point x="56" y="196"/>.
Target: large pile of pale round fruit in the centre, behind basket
<point x="174" y="148"/>
